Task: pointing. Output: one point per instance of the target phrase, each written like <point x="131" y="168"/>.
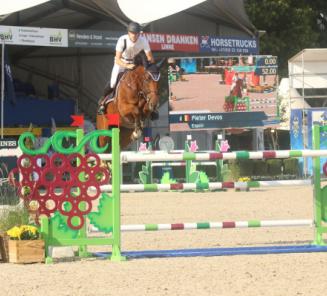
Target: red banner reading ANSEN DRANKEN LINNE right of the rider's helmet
<point x="173" y="42"/>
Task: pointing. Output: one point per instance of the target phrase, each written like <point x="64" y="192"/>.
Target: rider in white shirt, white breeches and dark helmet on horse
<point x="128" y="46"/>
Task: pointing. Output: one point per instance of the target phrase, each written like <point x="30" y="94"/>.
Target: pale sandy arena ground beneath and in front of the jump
<point x="286" y="274"/>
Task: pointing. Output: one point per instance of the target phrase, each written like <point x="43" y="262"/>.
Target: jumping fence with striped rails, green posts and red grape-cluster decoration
<point x="75" y="184"/>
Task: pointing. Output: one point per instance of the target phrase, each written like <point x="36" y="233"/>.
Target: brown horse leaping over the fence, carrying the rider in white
<point x="136" y="97"/>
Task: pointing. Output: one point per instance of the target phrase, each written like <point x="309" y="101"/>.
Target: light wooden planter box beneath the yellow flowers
<point x="26" y="251"/>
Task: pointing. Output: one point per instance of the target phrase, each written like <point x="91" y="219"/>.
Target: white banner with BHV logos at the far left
<point x="34" y="36"/>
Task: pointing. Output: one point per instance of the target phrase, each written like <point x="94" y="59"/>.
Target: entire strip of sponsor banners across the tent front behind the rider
<point x="108" y="39"/>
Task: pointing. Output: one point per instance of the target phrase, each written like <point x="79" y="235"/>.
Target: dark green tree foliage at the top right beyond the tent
<point x="290" y="25"/>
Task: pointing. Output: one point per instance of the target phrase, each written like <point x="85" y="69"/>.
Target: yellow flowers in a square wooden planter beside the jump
<point x="24" y="244"/>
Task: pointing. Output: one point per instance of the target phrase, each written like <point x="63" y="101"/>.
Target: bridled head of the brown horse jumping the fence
<point x="150" y="85"/>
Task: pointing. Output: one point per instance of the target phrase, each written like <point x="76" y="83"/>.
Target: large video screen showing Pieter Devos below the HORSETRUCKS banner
<point x="212" y="92"/>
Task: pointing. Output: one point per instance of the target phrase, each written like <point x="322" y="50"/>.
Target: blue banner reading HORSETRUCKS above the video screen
<point x="229" y="45"/>
